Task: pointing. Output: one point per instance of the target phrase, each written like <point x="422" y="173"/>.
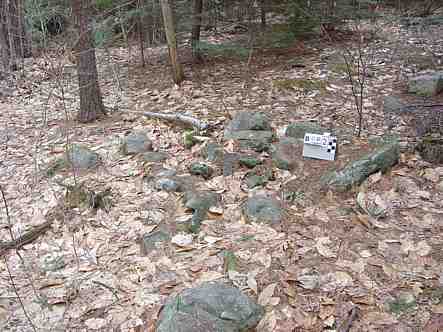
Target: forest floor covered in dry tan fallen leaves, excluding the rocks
<point x="327" y="262"/>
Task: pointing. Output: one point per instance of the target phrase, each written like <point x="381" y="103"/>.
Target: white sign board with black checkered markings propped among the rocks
<point x="320" y="146"/>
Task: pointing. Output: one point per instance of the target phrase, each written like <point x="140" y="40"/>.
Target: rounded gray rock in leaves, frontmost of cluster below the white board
<point x="263" y="209"/>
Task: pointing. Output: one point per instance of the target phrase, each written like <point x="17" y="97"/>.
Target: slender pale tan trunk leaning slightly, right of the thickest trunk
<point x="168" y="21"/>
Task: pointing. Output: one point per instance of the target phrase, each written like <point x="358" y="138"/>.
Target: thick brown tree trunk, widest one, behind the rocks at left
<point x="91" y="103"/>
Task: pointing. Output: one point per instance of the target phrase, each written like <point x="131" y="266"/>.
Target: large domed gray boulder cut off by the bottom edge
<point x="210" y="307"/>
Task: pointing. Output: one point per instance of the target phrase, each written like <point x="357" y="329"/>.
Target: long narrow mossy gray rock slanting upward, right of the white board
<point x="381" y="159"/>
